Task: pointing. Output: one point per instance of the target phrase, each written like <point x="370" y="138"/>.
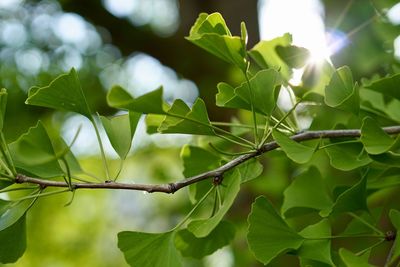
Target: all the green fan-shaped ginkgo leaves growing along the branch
<point x="371" y="160"/>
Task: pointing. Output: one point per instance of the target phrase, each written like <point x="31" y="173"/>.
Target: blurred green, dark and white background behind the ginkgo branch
<point x="140" y="45"/>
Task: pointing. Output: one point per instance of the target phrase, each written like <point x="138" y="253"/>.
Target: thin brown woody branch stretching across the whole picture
<point x="218" y="172"/>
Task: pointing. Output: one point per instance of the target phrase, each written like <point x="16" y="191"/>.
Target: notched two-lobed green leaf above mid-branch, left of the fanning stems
<point x="182" y="119"/>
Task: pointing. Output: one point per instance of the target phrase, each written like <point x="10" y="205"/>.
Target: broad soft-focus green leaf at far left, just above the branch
<point x="34" y="153"/>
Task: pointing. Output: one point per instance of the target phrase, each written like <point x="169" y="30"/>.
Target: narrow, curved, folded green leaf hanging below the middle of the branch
<point x="203" y="227"/>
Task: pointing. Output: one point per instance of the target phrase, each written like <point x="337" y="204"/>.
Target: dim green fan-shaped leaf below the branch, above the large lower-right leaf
<point x="307" y="191"/>
